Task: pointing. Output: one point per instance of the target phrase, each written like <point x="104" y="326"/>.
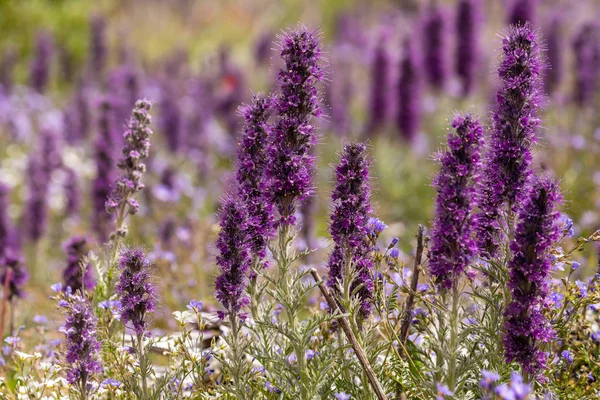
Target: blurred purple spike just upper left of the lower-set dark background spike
<point x="380" y="102"/>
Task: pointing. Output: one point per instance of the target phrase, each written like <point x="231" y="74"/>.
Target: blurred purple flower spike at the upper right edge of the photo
<point x="587" y="60"/>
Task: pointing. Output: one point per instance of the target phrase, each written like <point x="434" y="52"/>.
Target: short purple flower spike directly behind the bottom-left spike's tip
<point x="76" y="249"/>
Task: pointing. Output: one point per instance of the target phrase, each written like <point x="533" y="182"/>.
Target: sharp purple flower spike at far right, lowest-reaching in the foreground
<point x="538" y="229"/>
